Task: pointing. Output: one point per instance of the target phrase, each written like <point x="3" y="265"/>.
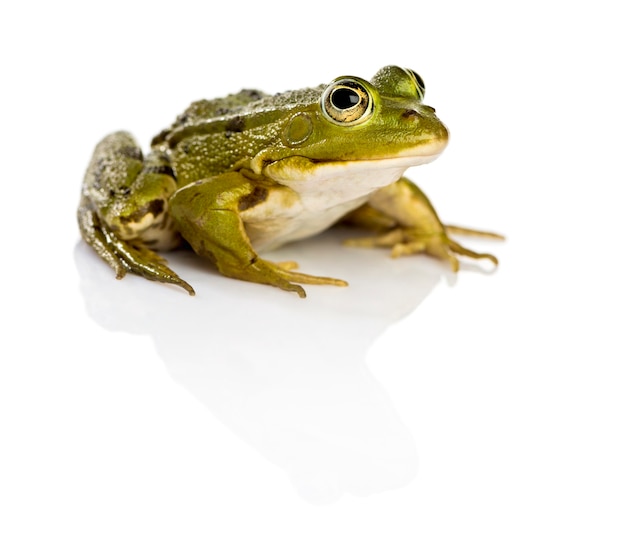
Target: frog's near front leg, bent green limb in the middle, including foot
<point x="208" y="214"/>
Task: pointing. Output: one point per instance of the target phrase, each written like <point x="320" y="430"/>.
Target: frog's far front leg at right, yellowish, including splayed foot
<point x="411" y="225"/>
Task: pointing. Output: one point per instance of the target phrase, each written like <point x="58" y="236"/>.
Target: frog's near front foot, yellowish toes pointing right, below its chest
<point x="276" y="274"/>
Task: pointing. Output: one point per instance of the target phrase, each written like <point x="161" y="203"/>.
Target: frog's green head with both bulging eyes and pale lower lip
<point x="383" y="122"/>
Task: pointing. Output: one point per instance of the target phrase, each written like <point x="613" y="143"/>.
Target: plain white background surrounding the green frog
<point x="409" y="403"/>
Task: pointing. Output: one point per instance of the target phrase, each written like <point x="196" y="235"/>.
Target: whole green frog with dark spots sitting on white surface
<point x="237" y="176"/>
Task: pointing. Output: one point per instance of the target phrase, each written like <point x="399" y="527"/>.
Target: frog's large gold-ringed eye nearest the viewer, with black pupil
<point x="347" y="102"/>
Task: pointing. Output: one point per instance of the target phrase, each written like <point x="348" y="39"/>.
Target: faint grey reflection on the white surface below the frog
<point x="288" y="376"/>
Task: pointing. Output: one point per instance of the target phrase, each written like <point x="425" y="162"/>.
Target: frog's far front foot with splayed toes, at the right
<point x="408" y="241"/>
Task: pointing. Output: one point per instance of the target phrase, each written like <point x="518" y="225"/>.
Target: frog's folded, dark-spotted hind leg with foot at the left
<point x="123" y="209"/>
